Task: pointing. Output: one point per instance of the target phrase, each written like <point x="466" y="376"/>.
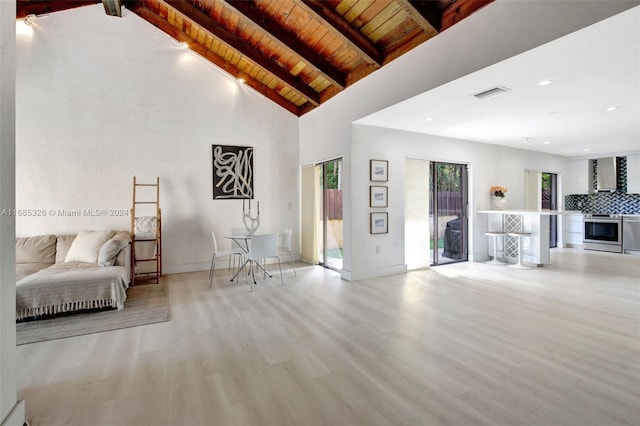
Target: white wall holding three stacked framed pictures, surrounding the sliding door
<point x="489" y="165"/>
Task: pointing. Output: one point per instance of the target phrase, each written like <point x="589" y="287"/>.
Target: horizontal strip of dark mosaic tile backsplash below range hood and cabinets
<point x="604" y="202"/>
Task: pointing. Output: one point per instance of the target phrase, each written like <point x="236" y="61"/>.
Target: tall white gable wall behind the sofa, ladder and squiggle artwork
<point x="101" y="99"/>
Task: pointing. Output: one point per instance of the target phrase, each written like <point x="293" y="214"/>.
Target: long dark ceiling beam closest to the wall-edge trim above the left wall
<point x="203" y="20"/>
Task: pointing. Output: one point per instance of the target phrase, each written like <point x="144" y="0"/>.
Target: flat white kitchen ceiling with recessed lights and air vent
<point x="591" y="70"/>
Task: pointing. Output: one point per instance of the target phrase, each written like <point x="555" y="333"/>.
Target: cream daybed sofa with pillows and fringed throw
<point x="68" y="273"/>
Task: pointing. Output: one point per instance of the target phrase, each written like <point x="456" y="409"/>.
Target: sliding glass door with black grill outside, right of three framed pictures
<point x="448" y="212"/>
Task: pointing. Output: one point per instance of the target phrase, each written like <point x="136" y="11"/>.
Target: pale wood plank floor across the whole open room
<point x="463" y="344"/>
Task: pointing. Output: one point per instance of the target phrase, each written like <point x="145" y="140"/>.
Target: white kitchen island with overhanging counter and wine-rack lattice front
<point x="536" y="247"/>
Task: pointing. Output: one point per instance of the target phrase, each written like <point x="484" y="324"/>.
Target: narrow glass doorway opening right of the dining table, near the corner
<point x="329" y="207"/>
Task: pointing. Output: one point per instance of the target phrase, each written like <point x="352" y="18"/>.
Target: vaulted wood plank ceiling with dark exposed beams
<point x="298" y="53"/>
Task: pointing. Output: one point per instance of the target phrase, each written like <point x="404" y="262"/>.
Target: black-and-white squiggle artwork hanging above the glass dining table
<point x="232" y="172"/>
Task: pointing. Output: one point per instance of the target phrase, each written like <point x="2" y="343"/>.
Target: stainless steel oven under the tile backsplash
<point x="602" y="232"/>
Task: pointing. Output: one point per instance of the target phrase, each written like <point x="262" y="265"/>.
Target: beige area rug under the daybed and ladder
<point x="145" y="304"/>
